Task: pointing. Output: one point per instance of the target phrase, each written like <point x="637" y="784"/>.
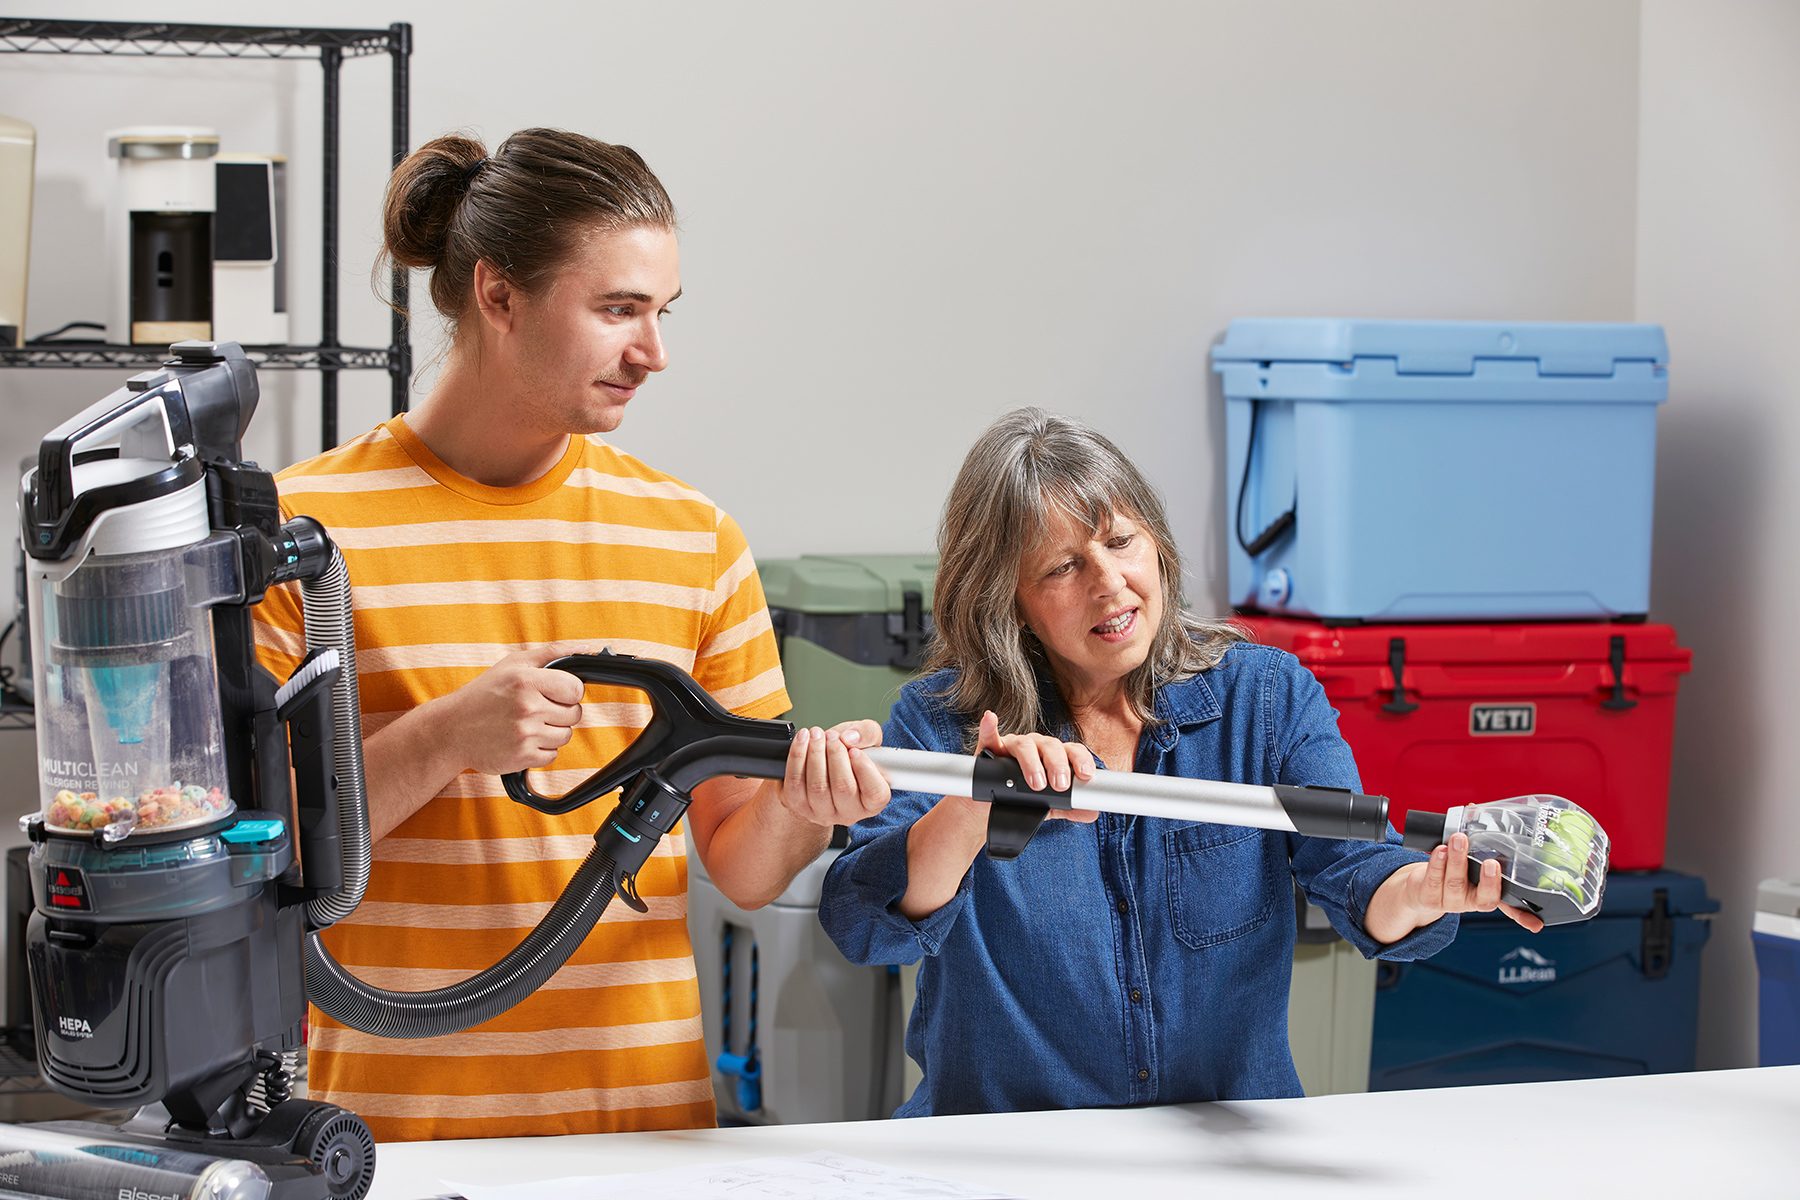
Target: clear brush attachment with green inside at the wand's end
<point x="1552" y="854"/>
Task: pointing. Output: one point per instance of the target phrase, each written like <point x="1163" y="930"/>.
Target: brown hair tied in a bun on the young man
<point x="523" y="210"/>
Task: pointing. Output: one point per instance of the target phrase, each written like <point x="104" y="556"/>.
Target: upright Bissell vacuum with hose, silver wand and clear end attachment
<point x="179" y="882"/>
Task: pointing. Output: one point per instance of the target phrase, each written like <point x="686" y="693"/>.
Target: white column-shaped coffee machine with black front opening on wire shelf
<point x="159" y="235"/>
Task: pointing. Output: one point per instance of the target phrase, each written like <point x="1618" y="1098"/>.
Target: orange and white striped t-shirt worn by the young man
<point x="447" y="578"/>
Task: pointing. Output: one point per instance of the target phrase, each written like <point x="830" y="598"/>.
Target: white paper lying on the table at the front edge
<point x="814" y="1178"/>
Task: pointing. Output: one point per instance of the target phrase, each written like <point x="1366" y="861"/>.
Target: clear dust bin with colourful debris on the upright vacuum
<point x="129" y="715"/>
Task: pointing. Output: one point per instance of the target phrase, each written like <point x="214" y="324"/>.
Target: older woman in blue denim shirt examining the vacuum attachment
<point x="1126" y="960"/>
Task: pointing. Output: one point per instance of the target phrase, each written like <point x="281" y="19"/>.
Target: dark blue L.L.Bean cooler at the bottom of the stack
<point x="1615" y="996"/>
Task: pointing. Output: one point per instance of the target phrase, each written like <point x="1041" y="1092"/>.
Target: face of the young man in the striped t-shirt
<point x="591" y="337"/>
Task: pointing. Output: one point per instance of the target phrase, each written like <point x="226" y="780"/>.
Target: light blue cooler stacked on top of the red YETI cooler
<point x="1441" y="470"/>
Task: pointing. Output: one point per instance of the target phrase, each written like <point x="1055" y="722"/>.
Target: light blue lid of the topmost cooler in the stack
<point x="1444" y="346"/>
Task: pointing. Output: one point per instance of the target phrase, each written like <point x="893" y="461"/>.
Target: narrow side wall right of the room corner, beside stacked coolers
<point x="1718" y="260"/>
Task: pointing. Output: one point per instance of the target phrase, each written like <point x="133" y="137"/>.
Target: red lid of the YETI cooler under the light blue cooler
<point x="1470" y="645"/>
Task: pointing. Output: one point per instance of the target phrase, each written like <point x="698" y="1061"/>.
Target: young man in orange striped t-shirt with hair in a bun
<point x="487" y="533"/>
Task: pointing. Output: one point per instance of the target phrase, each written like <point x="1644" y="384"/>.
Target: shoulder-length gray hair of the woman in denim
<point x="1023" y="472"/>
